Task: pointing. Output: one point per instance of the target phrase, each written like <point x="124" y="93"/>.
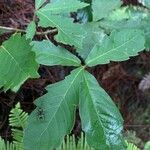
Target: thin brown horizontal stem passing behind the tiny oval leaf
<point x="21" y="30"/>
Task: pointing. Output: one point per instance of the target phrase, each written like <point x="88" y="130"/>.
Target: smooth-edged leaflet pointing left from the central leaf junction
<point x="49" y="54"/>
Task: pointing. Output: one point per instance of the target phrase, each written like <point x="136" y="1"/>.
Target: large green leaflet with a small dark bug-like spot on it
<point x="54" y="116"/>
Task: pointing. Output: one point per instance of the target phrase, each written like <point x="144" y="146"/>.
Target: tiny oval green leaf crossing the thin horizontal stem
<point x="30" y="31"/>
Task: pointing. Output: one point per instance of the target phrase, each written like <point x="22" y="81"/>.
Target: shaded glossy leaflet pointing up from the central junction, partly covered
<point x="94" y="36"/>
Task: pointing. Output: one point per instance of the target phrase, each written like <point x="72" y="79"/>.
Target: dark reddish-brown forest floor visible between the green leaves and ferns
<point x="121" y="80"/>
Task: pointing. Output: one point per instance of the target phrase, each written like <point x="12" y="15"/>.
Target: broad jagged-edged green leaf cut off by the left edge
<point x="17" y="62"/>
